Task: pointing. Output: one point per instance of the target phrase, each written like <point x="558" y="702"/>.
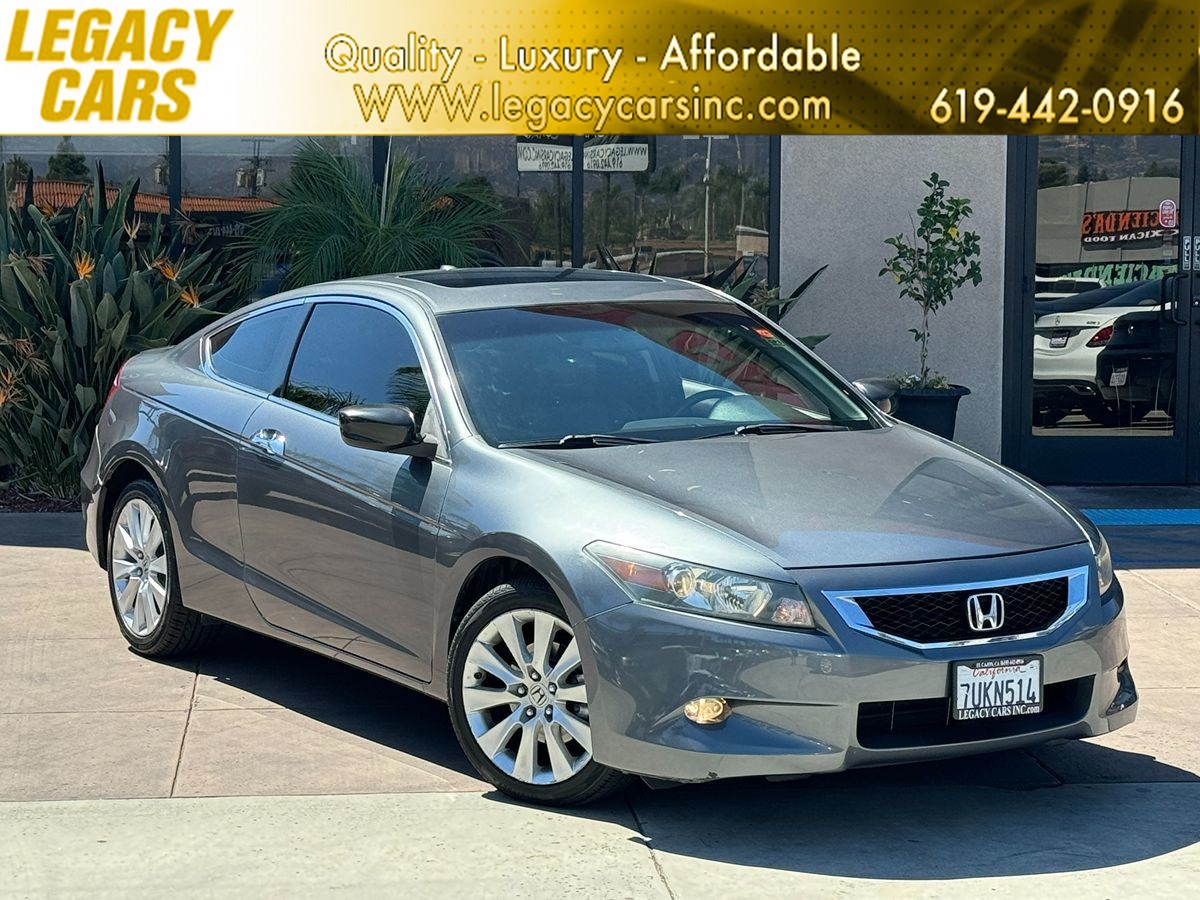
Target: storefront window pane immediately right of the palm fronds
<point x="532" y="178"/>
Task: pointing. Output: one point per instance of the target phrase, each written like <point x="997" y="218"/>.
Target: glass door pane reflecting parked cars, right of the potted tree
<point x="1107" y="359"/>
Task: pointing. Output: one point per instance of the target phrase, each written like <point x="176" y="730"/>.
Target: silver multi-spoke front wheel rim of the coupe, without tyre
<point x="524" y="697"/>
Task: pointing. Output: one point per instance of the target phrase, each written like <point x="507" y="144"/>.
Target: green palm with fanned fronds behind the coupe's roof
<point x="333" y="221"/>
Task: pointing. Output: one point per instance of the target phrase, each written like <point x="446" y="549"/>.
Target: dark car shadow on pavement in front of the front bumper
<point x="914" y="823"/>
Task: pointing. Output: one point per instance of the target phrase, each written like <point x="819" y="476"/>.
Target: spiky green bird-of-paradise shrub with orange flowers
<point x="82" y="291"/>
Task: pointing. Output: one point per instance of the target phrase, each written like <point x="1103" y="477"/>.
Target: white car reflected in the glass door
<point x="1069" y="337"/>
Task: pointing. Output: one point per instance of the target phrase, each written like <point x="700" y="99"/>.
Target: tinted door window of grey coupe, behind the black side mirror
<point x="356" y="355"/>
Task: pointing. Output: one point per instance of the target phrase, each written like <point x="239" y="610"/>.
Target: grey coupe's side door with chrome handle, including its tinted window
<point x="339" y="541"/>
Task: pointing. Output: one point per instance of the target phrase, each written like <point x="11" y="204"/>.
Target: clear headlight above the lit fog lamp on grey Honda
<point x="651" y="579"/>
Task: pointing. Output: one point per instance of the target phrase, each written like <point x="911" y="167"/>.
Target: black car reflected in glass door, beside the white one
<point x="1136" y="371"/>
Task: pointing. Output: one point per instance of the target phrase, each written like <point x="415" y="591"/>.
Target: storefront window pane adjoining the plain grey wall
<point x="687" y="205"/>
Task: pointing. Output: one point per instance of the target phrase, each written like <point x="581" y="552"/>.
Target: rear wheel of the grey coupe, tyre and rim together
<point x="143" y="580"/>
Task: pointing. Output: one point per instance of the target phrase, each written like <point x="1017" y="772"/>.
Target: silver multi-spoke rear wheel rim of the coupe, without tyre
<point x="139" y="568"/>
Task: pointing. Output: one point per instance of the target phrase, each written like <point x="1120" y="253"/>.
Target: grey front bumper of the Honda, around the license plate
<point x="812" y="703"/>
